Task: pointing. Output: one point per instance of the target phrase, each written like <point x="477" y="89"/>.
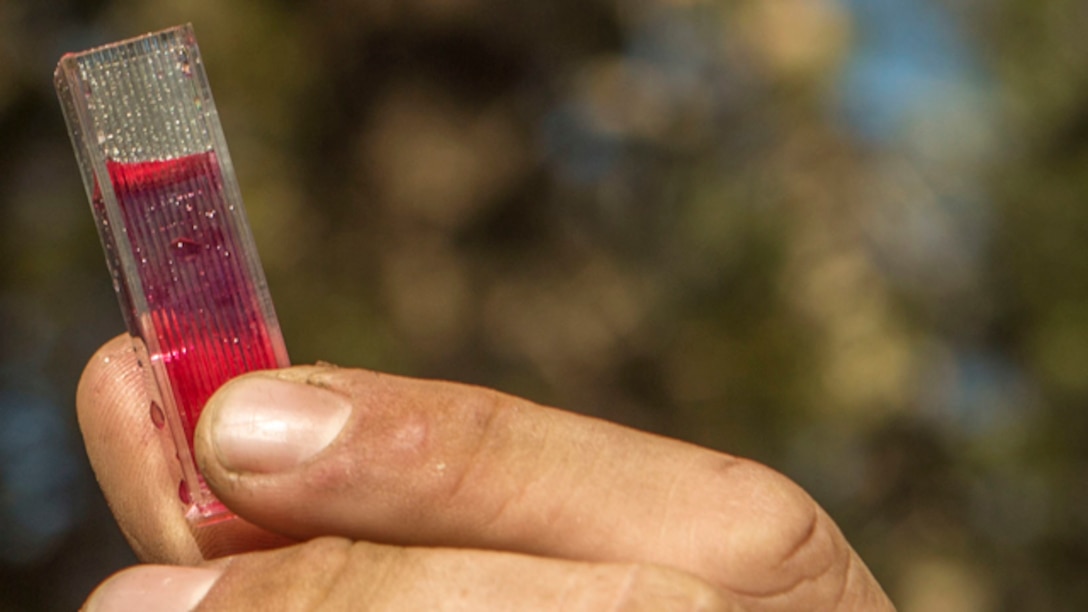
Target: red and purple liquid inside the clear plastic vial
<point x="206" y="319"/>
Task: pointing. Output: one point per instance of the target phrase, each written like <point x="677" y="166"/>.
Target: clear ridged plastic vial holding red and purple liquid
<point x="169" y="212"/>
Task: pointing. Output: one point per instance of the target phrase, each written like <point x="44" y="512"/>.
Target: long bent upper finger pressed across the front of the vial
<point x="314" y="451"/>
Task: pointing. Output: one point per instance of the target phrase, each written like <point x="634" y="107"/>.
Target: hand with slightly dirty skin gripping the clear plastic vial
<point x="412" y="495"/>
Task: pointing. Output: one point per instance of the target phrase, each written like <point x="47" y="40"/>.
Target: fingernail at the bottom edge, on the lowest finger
<point x="155" y="589"/>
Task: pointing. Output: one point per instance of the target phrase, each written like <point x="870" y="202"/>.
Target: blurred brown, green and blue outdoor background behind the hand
<point x="845" y="238"/>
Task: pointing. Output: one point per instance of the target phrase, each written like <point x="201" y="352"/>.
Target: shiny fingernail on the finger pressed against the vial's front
<point x="267" y="425"/>
